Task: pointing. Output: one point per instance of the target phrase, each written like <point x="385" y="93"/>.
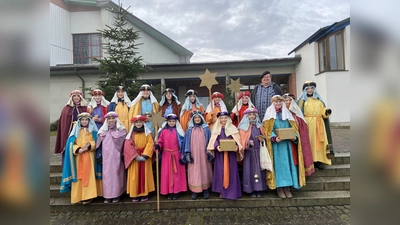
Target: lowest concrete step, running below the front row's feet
<point x="300" y="198"/>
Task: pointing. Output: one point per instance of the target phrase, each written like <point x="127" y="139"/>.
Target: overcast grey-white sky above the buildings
<point x="225" y="30"/>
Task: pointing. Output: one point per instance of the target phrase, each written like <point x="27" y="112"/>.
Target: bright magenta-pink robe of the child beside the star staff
<point x="173" y="174"/>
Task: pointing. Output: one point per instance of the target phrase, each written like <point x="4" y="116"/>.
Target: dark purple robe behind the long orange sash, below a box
<point x="234" y="190"/>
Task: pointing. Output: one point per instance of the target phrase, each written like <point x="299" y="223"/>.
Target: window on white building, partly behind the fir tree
<point x="86" y="46"/>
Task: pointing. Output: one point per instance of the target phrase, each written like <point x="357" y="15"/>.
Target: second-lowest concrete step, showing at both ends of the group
<point x="312" y="184"/>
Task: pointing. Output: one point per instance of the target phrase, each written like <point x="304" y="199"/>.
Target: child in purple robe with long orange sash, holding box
<point x="226" y="179"/>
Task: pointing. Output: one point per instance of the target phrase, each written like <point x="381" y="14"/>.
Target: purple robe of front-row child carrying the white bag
<point x="251" y="165"/>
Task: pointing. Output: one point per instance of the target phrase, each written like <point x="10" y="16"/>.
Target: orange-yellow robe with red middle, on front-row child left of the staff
<point x="141" y="141"/>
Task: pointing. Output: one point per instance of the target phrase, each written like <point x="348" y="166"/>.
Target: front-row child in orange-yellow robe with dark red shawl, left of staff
<point x="138" y="150"/>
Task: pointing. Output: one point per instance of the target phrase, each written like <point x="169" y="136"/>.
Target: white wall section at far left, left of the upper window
<point x="60" y="36"/>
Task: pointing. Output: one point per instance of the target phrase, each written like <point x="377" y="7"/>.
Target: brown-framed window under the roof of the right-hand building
<point x="331" y="52"/>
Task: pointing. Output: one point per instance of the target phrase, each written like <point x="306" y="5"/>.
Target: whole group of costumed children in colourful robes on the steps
<point x="108" y="148"/>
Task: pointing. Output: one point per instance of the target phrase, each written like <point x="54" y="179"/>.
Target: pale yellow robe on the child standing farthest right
<point x="314" y="113"/>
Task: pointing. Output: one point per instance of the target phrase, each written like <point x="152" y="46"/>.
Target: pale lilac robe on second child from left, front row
<point x="113" y="167"/>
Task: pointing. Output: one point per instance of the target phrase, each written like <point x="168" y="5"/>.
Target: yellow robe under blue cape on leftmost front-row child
<point x="95" y="187"/>
